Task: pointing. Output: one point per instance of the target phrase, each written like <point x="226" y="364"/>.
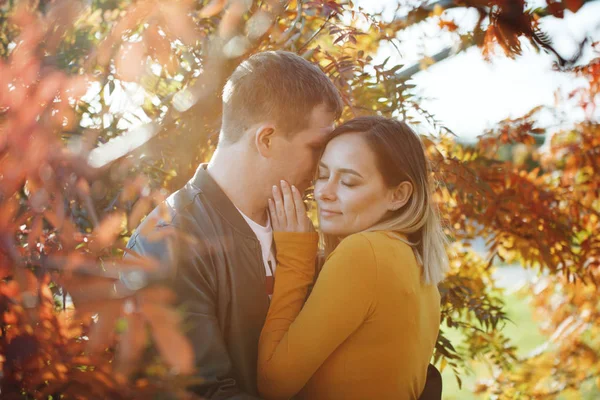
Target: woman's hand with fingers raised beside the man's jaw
<point x="287" y="210"/>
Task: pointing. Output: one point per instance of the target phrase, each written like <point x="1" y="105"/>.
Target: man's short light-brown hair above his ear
<point x="279" y="86"/>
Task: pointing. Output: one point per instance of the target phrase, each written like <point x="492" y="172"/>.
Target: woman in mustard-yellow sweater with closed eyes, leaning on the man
<point x="370" y="324"/>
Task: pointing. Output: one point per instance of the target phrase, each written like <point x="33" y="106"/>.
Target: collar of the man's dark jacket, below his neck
<point x="219" y="200"/>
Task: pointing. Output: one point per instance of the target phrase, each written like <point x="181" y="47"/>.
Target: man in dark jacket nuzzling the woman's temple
<point x="278" y="110"/>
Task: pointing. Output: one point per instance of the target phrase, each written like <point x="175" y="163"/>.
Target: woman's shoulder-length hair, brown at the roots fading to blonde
<point x="400" y="156"/>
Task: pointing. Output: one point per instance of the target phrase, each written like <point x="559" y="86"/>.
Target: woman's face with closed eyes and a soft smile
<point x="350" y="191"/>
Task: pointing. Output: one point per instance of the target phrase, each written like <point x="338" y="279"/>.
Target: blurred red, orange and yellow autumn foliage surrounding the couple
<point x="80" y="167"/>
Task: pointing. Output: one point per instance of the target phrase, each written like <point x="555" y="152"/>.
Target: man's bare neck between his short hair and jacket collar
<point x="239" y="183"/>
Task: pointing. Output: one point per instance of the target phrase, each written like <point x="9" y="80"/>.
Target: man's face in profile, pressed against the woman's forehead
<point x="297" y="156"/>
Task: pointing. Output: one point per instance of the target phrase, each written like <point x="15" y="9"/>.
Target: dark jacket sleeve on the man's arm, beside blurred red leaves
<point x="189" y="273"/>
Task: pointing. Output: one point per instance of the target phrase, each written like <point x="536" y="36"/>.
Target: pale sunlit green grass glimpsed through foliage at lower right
<point x="522" y="331"/>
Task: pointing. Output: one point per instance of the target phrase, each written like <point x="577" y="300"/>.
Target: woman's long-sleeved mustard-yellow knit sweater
<point x="367" y="331"/>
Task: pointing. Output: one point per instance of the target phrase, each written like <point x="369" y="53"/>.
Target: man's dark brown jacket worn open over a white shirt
<point x="215" y="266"/>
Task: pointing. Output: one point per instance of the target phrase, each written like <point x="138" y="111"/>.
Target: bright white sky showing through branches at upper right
<point x="468" y="94"/>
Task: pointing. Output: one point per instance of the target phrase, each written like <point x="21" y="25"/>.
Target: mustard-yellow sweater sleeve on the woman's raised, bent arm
<point x="296" y="340"/>
